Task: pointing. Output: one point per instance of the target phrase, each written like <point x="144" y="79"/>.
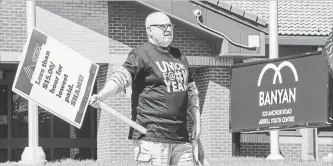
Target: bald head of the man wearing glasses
<point x="159" y="29"/>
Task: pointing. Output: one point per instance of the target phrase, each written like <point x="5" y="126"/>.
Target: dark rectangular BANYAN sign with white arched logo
<point x="289" y="92"/>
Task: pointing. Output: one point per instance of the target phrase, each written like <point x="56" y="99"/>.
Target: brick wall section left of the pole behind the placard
<point x="12" y="25"/>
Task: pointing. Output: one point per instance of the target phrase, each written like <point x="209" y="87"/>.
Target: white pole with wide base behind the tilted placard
<point x="34" y="154"/>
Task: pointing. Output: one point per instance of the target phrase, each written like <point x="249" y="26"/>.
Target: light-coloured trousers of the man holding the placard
<point x="155" y="153"/>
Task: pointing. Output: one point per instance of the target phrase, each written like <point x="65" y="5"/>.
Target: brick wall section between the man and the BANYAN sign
<point x="213" y="84"/>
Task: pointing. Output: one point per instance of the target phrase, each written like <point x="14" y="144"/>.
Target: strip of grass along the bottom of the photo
<point x="234" y="161"/>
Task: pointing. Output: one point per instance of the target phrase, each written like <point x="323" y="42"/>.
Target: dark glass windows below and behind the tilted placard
<point x="58" y="138"/>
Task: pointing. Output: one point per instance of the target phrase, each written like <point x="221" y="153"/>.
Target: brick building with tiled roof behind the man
<point x="105" y="31"/>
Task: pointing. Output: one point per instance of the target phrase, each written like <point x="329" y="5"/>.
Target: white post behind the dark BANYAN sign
<point x="273" y="53"/>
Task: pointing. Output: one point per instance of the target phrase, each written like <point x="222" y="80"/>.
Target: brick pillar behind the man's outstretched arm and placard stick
<point x="112" y="133"/>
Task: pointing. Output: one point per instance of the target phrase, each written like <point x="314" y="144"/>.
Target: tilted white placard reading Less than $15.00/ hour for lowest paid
<point x="55" y="77"/>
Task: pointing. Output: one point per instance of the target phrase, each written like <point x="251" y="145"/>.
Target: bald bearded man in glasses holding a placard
<point x="163" y="92"/>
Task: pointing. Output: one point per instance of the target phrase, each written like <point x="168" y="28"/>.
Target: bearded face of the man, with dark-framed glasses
<point x="161" y="31"/>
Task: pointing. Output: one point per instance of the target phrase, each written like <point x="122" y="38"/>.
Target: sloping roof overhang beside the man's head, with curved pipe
<point x="236" y="28"/>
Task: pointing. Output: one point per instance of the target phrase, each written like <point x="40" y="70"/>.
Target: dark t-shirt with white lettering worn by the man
<point x="159" y="96"/>
